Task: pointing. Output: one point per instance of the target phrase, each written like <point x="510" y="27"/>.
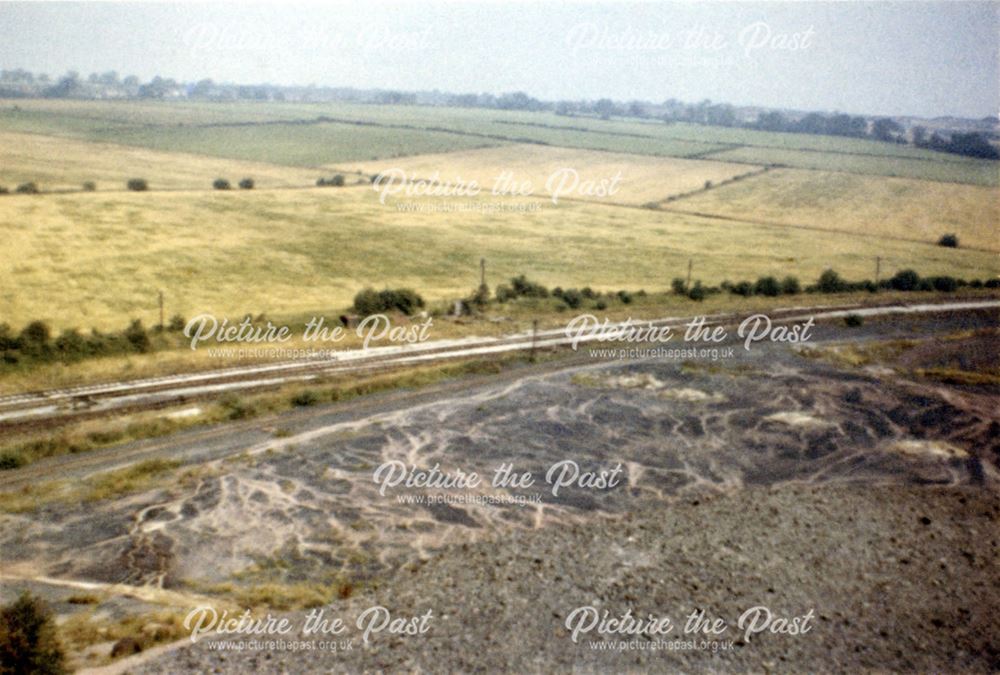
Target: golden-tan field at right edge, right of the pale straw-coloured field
<point x="866" y="205"/>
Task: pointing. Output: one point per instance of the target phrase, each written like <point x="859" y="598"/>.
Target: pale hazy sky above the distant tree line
<point x="927" y="59"/>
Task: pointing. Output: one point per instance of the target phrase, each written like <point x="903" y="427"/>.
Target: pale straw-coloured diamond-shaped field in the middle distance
<point x="563" y="172"/>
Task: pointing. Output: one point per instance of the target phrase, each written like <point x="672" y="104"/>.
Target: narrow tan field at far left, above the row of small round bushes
<point x="60" y="163"/>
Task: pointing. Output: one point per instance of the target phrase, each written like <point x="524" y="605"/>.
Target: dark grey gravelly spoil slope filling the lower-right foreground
<point x="902" y="578"/>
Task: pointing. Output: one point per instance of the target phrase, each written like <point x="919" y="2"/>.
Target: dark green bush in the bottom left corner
<point x="28" y="642"/>
